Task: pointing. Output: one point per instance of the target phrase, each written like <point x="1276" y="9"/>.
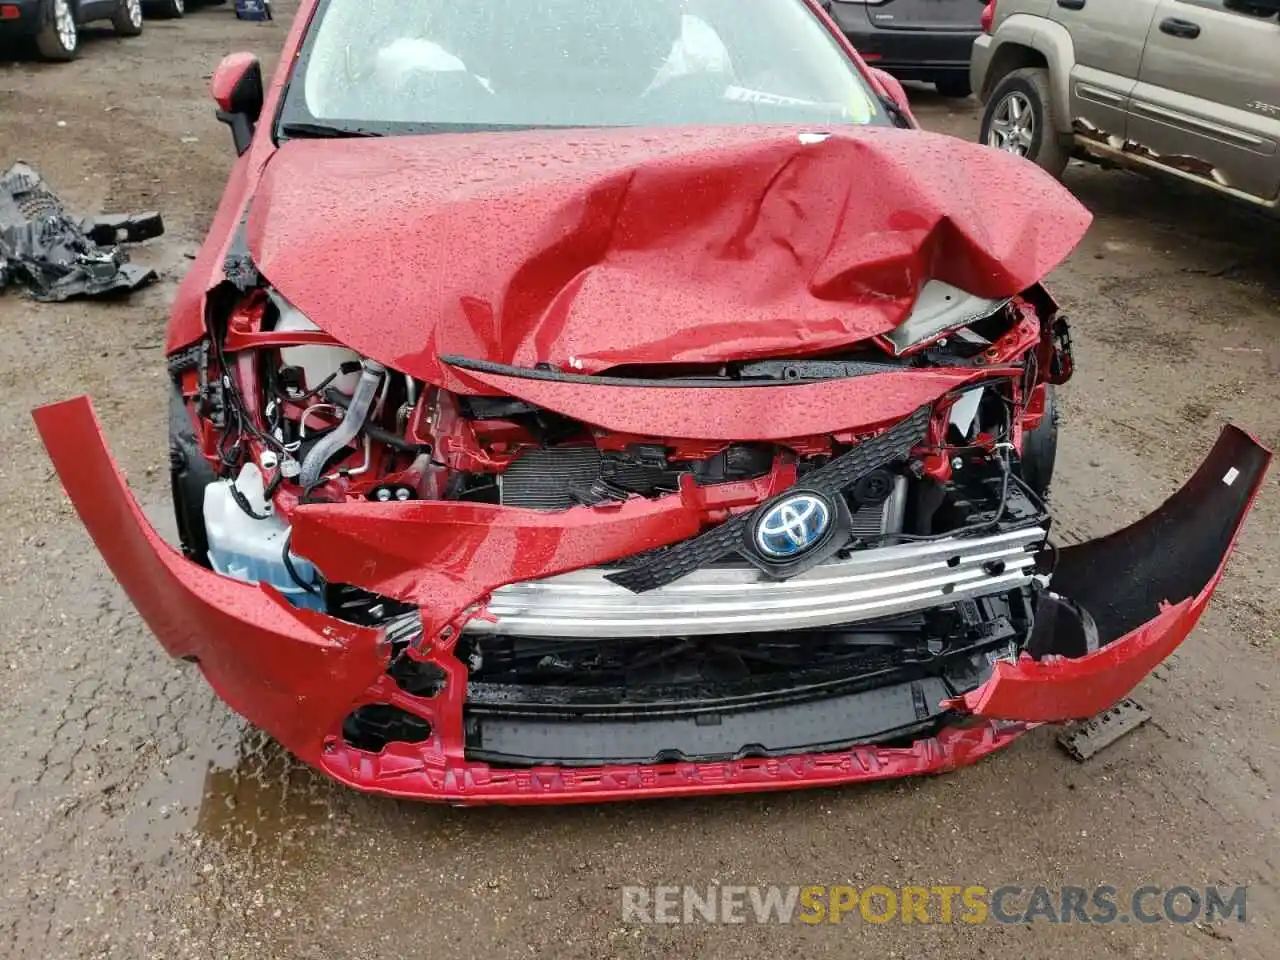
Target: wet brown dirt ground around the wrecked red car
<point x="140" y="819"/>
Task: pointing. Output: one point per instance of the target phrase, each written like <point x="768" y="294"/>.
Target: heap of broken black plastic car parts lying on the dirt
<point x="57" y="257"/>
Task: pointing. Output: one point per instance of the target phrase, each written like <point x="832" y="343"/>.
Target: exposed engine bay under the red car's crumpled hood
<point x="272" y="414"/>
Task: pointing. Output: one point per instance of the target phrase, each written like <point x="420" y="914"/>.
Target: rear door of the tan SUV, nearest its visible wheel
<point x="1108" y="38"/>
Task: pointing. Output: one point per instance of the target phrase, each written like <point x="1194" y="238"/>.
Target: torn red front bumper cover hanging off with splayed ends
<point x="298" y="674"/>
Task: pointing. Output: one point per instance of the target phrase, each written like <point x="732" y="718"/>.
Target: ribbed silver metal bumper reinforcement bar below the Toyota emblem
<point x="870" y="584"/>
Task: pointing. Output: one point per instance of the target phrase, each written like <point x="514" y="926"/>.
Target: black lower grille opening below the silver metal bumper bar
<point x="583" y="703"/>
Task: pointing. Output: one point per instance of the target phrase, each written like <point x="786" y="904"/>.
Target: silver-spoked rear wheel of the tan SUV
<point x="1020" y="120"/>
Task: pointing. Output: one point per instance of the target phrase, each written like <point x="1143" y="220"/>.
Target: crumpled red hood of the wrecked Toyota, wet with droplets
<point x="591" y="249"/>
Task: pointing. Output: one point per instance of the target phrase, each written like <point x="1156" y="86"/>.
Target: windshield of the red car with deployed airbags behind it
<point x="423" y="66"/>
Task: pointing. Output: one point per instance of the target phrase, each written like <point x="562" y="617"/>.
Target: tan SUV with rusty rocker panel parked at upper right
<point x="1188" y="88"/>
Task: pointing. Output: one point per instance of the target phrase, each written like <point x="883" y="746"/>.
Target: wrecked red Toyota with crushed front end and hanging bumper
<point x="584" y="401"/>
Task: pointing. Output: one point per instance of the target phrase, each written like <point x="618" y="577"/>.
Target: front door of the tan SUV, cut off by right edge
<point x="1208" y="100"/>
